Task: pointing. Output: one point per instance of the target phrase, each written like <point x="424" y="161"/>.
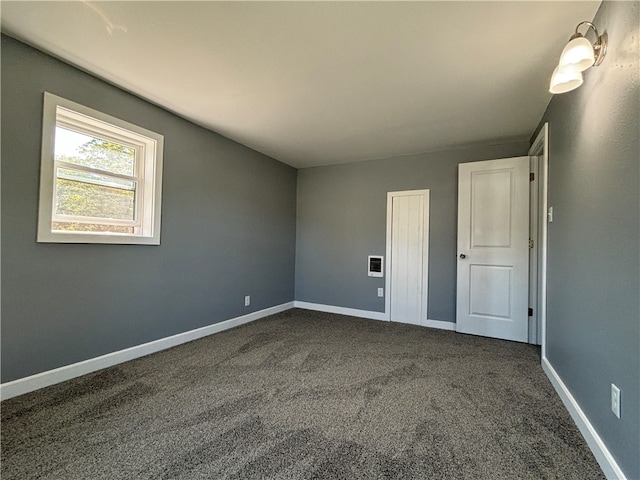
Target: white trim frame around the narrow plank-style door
<point x="425" y="237"/>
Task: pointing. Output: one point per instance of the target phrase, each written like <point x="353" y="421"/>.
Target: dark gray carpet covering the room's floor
<point x="304" y="395"/>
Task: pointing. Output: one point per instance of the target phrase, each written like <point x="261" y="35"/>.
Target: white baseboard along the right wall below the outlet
<point x="606" y="461"/>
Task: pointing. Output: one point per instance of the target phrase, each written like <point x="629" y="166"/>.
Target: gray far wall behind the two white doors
<point x="342" y="213"/>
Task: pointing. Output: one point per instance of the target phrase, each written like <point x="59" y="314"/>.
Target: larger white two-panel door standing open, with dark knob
<point x="493" y="248"/>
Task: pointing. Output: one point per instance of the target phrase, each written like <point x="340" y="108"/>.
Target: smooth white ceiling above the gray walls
<point x="317" y="83"/>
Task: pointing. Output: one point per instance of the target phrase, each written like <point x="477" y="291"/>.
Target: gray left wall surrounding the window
<point x="228" y="230"/>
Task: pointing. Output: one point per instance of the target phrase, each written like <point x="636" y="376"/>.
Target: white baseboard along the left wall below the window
<point x="57" y="375"/>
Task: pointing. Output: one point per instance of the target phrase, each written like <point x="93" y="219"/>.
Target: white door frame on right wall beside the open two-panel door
<point x="538" y="288"/>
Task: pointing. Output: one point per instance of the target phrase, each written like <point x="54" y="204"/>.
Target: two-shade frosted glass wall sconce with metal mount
<point x="577" y="56"/>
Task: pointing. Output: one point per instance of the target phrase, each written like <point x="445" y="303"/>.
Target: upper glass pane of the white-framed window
<point x="81" y="149"/>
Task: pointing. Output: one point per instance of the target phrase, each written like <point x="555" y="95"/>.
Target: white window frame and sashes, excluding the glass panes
<point x="148" y="145"/>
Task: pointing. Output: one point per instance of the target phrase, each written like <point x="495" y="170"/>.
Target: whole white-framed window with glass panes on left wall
<point x="100" y="177"/>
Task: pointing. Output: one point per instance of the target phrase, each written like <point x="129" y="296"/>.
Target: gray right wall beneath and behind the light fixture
<point x="593" y="326"/>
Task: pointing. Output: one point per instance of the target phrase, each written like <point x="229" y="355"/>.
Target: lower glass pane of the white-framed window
<point x="92" y="195"/>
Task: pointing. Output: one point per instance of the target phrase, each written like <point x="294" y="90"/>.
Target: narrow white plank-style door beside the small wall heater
<point x="407" y="254"/>
